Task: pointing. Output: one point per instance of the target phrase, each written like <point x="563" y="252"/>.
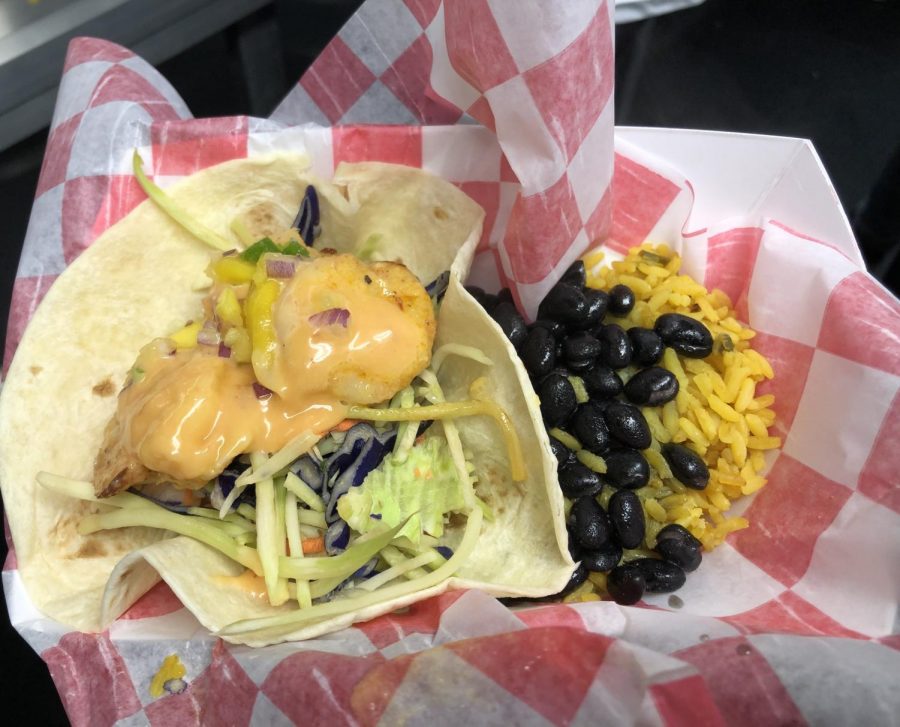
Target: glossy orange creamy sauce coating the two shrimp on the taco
<point x="192" y="412"/>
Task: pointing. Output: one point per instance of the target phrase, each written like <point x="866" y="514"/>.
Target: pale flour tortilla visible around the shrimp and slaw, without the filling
<point x="139" y="281"/>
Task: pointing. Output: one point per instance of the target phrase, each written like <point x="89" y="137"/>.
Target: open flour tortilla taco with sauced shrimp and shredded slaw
<point x="312" y="425"/>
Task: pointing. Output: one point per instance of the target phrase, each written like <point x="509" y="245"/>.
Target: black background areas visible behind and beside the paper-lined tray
<point x="828" y="71"/>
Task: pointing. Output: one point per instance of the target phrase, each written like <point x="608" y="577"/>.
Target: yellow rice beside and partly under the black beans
<point x="717" y="412"/>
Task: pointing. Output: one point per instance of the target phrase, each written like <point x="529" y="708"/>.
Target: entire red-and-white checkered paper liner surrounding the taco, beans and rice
<point x="779" y="622"/>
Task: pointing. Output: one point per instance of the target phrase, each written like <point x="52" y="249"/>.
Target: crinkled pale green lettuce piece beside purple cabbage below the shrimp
<point x="421" y="490"/>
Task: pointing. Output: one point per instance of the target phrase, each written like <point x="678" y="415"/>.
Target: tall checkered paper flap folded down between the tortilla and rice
<point x="538" y="74"/>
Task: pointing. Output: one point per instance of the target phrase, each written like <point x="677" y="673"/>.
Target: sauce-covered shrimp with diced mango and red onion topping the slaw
<point x="329" y="332"/>
